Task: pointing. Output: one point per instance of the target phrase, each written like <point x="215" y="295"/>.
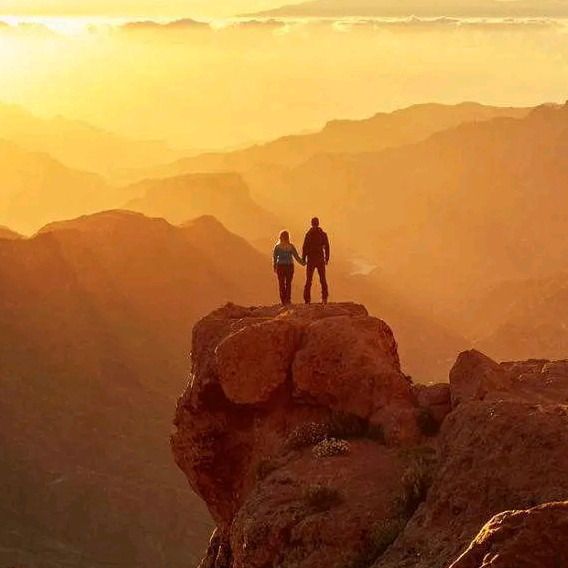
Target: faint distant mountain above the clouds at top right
<point x="425" y="8"/>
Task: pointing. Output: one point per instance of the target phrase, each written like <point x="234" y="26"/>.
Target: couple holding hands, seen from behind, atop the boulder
<point x="315" y="254"/>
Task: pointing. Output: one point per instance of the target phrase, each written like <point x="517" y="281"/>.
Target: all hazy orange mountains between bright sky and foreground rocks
<point x="461" y="209"/>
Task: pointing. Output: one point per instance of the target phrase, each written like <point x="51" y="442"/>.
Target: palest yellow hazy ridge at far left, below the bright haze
<point x="79" y="145"/>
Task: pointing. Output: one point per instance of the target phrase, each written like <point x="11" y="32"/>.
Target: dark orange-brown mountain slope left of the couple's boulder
<point x="95" y="327"/>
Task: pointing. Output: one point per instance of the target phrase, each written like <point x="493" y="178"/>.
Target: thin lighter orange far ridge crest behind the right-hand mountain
<point x="384" y="130"/>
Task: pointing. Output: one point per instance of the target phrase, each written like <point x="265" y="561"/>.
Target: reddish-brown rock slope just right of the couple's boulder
<point x="503" y="447"/>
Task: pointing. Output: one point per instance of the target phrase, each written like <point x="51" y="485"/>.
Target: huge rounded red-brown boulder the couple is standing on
<point x="283" y="429"/>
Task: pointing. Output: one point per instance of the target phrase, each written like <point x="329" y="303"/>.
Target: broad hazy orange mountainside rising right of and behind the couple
<point x="473" y="188"/>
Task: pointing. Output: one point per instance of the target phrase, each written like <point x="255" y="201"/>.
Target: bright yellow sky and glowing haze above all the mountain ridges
<point x="200" y="86"/>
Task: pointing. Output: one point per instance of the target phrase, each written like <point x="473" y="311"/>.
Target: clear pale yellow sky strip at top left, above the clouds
<point x="148" y="8"/>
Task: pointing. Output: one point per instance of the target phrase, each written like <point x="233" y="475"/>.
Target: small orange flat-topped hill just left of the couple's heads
<point x="224" y="195"/>
